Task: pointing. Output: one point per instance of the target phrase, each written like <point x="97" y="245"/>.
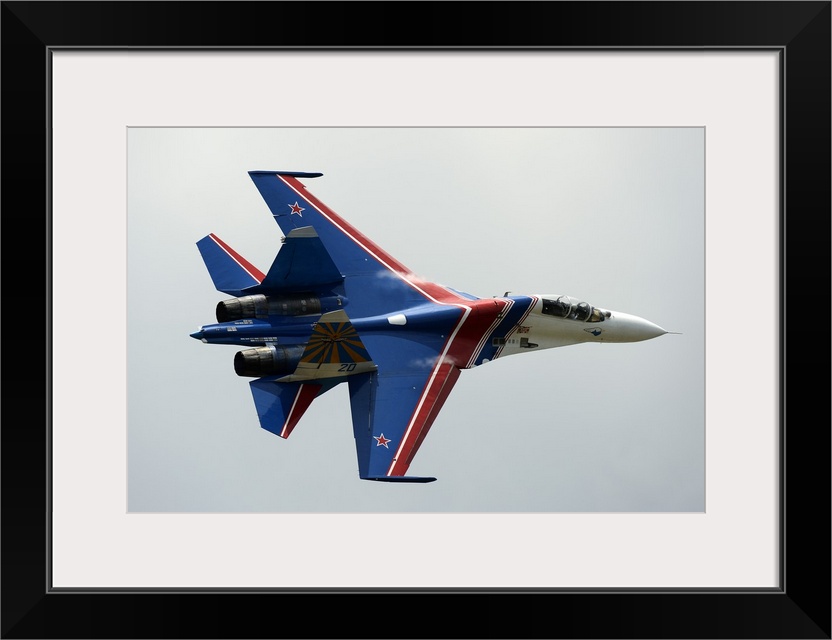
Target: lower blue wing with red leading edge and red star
<point x="391" y="416"/>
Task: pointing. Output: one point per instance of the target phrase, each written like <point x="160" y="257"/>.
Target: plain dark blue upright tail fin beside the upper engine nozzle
<point x="301" y="264"/>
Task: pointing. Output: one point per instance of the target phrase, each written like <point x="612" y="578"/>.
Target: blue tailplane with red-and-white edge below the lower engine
<point x="280" y="405"/>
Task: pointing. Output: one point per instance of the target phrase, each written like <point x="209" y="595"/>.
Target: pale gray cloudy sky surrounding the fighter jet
<point x="611" y="216"/>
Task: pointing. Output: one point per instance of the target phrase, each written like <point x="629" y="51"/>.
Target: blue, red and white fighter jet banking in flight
<point x="335" y="307"/>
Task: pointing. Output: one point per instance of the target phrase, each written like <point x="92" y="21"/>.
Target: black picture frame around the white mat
<point x="800" y="608"/>
